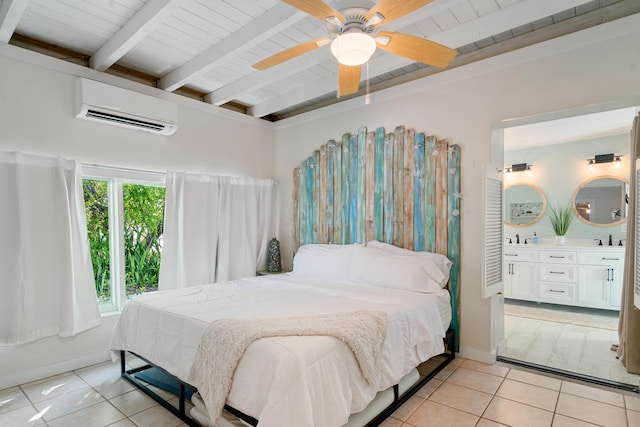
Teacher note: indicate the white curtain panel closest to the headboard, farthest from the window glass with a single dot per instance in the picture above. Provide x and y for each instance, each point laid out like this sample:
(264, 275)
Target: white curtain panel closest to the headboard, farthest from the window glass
(243, 221)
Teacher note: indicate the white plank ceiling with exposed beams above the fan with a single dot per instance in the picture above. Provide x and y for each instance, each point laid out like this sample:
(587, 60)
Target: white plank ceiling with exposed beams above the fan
(206, 48)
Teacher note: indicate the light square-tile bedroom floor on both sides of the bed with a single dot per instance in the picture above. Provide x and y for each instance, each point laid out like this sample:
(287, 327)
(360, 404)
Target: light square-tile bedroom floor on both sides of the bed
(465, 393)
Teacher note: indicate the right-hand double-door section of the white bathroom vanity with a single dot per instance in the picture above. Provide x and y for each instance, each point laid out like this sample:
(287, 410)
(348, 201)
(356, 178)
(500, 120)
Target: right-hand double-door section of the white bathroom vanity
(600, 278)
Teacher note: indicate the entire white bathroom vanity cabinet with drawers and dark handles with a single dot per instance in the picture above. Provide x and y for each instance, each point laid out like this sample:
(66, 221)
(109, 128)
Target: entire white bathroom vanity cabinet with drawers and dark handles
(578, 276)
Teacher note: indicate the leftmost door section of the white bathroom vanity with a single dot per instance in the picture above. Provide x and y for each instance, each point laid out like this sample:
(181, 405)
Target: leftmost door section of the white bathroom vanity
(520, 274)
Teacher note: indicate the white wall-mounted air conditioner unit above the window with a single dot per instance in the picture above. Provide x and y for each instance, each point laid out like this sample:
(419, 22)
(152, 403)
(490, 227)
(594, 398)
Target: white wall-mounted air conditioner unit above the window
(113, 105)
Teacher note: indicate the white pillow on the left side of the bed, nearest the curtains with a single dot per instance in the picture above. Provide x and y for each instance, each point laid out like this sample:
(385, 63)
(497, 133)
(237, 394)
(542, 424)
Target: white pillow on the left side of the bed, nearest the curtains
(323, 261)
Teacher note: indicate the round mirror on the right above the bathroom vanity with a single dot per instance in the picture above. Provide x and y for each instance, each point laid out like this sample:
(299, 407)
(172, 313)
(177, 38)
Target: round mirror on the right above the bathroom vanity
(602, 200)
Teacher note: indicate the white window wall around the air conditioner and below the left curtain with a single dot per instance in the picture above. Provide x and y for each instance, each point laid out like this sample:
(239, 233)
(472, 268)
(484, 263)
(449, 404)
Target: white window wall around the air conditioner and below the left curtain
(36, 116)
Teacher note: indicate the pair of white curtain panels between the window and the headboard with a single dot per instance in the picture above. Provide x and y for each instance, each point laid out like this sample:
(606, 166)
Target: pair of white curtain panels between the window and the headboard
(215, 229)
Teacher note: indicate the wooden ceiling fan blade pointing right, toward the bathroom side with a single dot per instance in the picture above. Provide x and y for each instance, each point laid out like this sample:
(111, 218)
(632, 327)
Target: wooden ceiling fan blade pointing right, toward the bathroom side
(418, 49)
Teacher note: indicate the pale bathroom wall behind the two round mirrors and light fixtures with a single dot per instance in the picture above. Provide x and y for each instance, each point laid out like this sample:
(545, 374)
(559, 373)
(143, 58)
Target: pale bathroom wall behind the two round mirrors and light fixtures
(558, 170)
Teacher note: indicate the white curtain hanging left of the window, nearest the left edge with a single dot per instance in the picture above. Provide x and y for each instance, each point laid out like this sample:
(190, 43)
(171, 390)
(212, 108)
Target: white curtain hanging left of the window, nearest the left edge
(46, 277)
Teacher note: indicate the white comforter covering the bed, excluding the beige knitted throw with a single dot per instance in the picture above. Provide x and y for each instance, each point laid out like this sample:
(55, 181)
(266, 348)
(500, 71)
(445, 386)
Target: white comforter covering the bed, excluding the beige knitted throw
(286, 381)
